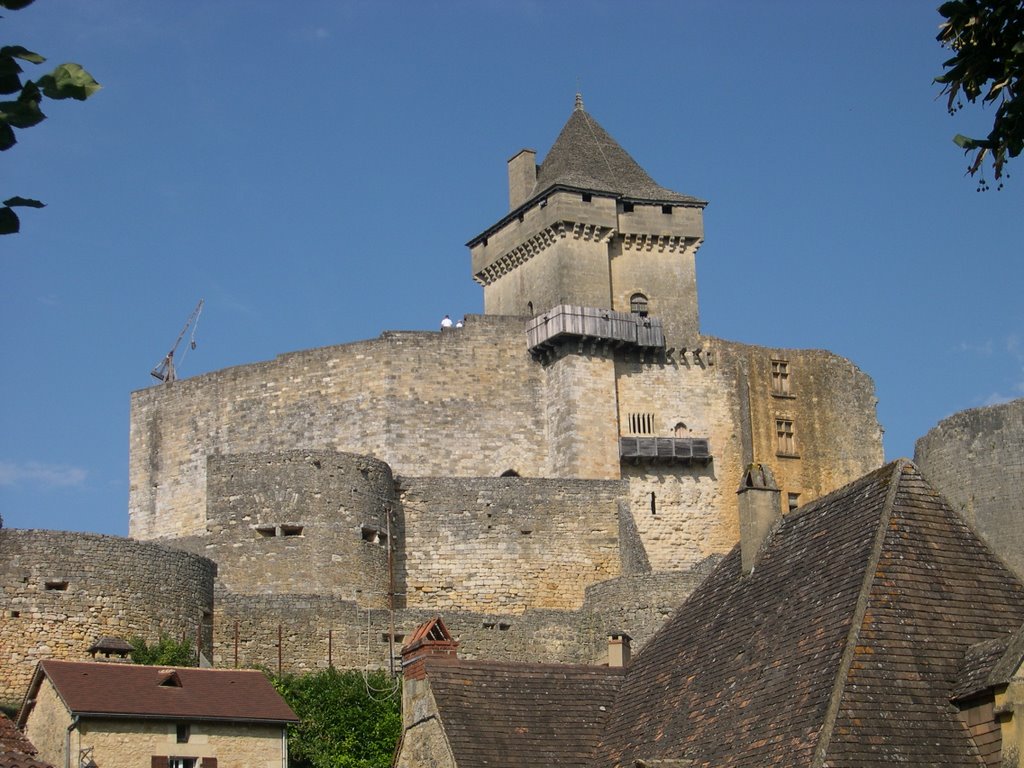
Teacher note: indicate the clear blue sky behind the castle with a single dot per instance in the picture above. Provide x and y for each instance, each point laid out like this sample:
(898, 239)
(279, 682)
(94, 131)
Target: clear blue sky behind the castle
(314, 170)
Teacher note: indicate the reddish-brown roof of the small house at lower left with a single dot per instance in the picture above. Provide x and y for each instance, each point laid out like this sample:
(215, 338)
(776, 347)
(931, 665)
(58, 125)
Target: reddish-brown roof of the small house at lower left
(182, 693)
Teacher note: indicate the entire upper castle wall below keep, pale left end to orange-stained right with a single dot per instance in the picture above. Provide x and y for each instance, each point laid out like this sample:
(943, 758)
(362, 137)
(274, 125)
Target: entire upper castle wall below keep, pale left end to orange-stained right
(473, 403)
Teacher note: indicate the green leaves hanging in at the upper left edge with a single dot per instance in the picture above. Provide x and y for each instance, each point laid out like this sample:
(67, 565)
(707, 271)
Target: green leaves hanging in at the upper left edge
(67, 81)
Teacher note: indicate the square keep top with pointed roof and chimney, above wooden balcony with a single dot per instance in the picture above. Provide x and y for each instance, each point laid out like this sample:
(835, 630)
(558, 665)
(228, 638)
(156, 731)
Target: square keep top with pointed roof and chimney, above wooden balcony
(589, 228)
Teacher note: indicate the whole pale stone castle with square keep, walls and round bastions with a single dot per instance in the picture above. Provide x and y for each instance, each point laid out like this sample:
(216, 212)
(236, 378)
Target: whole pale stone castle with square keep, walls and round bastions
(564, 464)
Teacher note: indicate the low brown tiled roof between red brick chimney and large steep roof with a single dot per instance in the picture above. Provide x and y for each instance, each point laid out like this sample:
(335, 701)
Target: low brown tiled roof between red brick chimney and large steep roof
(500, 714)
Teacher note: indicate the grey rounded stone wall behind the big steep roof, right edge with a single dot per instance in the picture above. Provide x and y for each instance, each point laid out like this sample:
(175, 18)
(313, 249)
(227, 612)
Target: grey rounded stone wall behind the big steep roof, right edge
(976, 460)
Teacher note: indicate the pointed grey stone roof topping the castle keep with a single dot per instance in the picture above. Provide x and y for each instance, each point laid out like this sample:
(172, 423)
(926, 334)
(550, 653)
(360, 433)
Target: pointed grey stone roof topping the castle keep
(585, 157)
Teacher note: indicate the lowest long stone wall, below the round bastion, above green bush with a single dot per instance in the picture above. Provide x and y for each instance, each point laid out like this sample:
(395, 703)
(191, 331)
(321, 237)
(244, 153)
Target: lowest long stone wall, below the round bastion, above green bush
(316, 630)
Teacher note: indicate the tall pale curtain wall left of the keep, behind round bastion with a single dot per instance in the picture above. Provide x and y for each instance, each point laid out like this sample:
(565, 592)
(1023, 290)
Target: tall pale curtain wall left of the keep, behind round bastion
(466, 403)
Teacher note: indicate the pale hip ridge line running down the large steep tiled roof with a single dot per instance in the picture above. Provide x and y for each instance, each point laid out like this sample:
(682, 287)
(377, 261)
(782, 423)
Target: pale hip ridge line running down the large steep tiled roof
(858, 620)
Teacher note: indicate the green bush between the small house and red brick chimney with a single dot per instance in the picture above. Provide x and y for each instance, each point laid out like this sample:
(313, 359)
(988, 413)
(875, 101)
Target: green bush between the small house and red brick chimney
(349, 720)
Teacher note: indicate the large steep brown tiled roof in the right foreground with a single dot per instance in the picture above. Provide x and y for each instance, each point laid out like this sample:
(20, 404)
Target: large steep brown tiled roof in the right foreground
(842, 647)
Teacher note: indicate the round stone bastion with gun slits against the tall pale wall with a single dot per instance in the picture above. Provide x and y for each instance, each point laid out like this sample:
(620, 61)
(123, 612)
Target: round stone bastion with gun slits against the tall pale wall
(302, 522)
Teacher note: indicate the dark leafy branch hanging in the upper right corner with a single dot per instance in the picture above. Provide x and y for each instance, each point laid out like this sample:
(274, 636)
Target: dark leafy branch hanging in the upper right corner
(988, 37)
